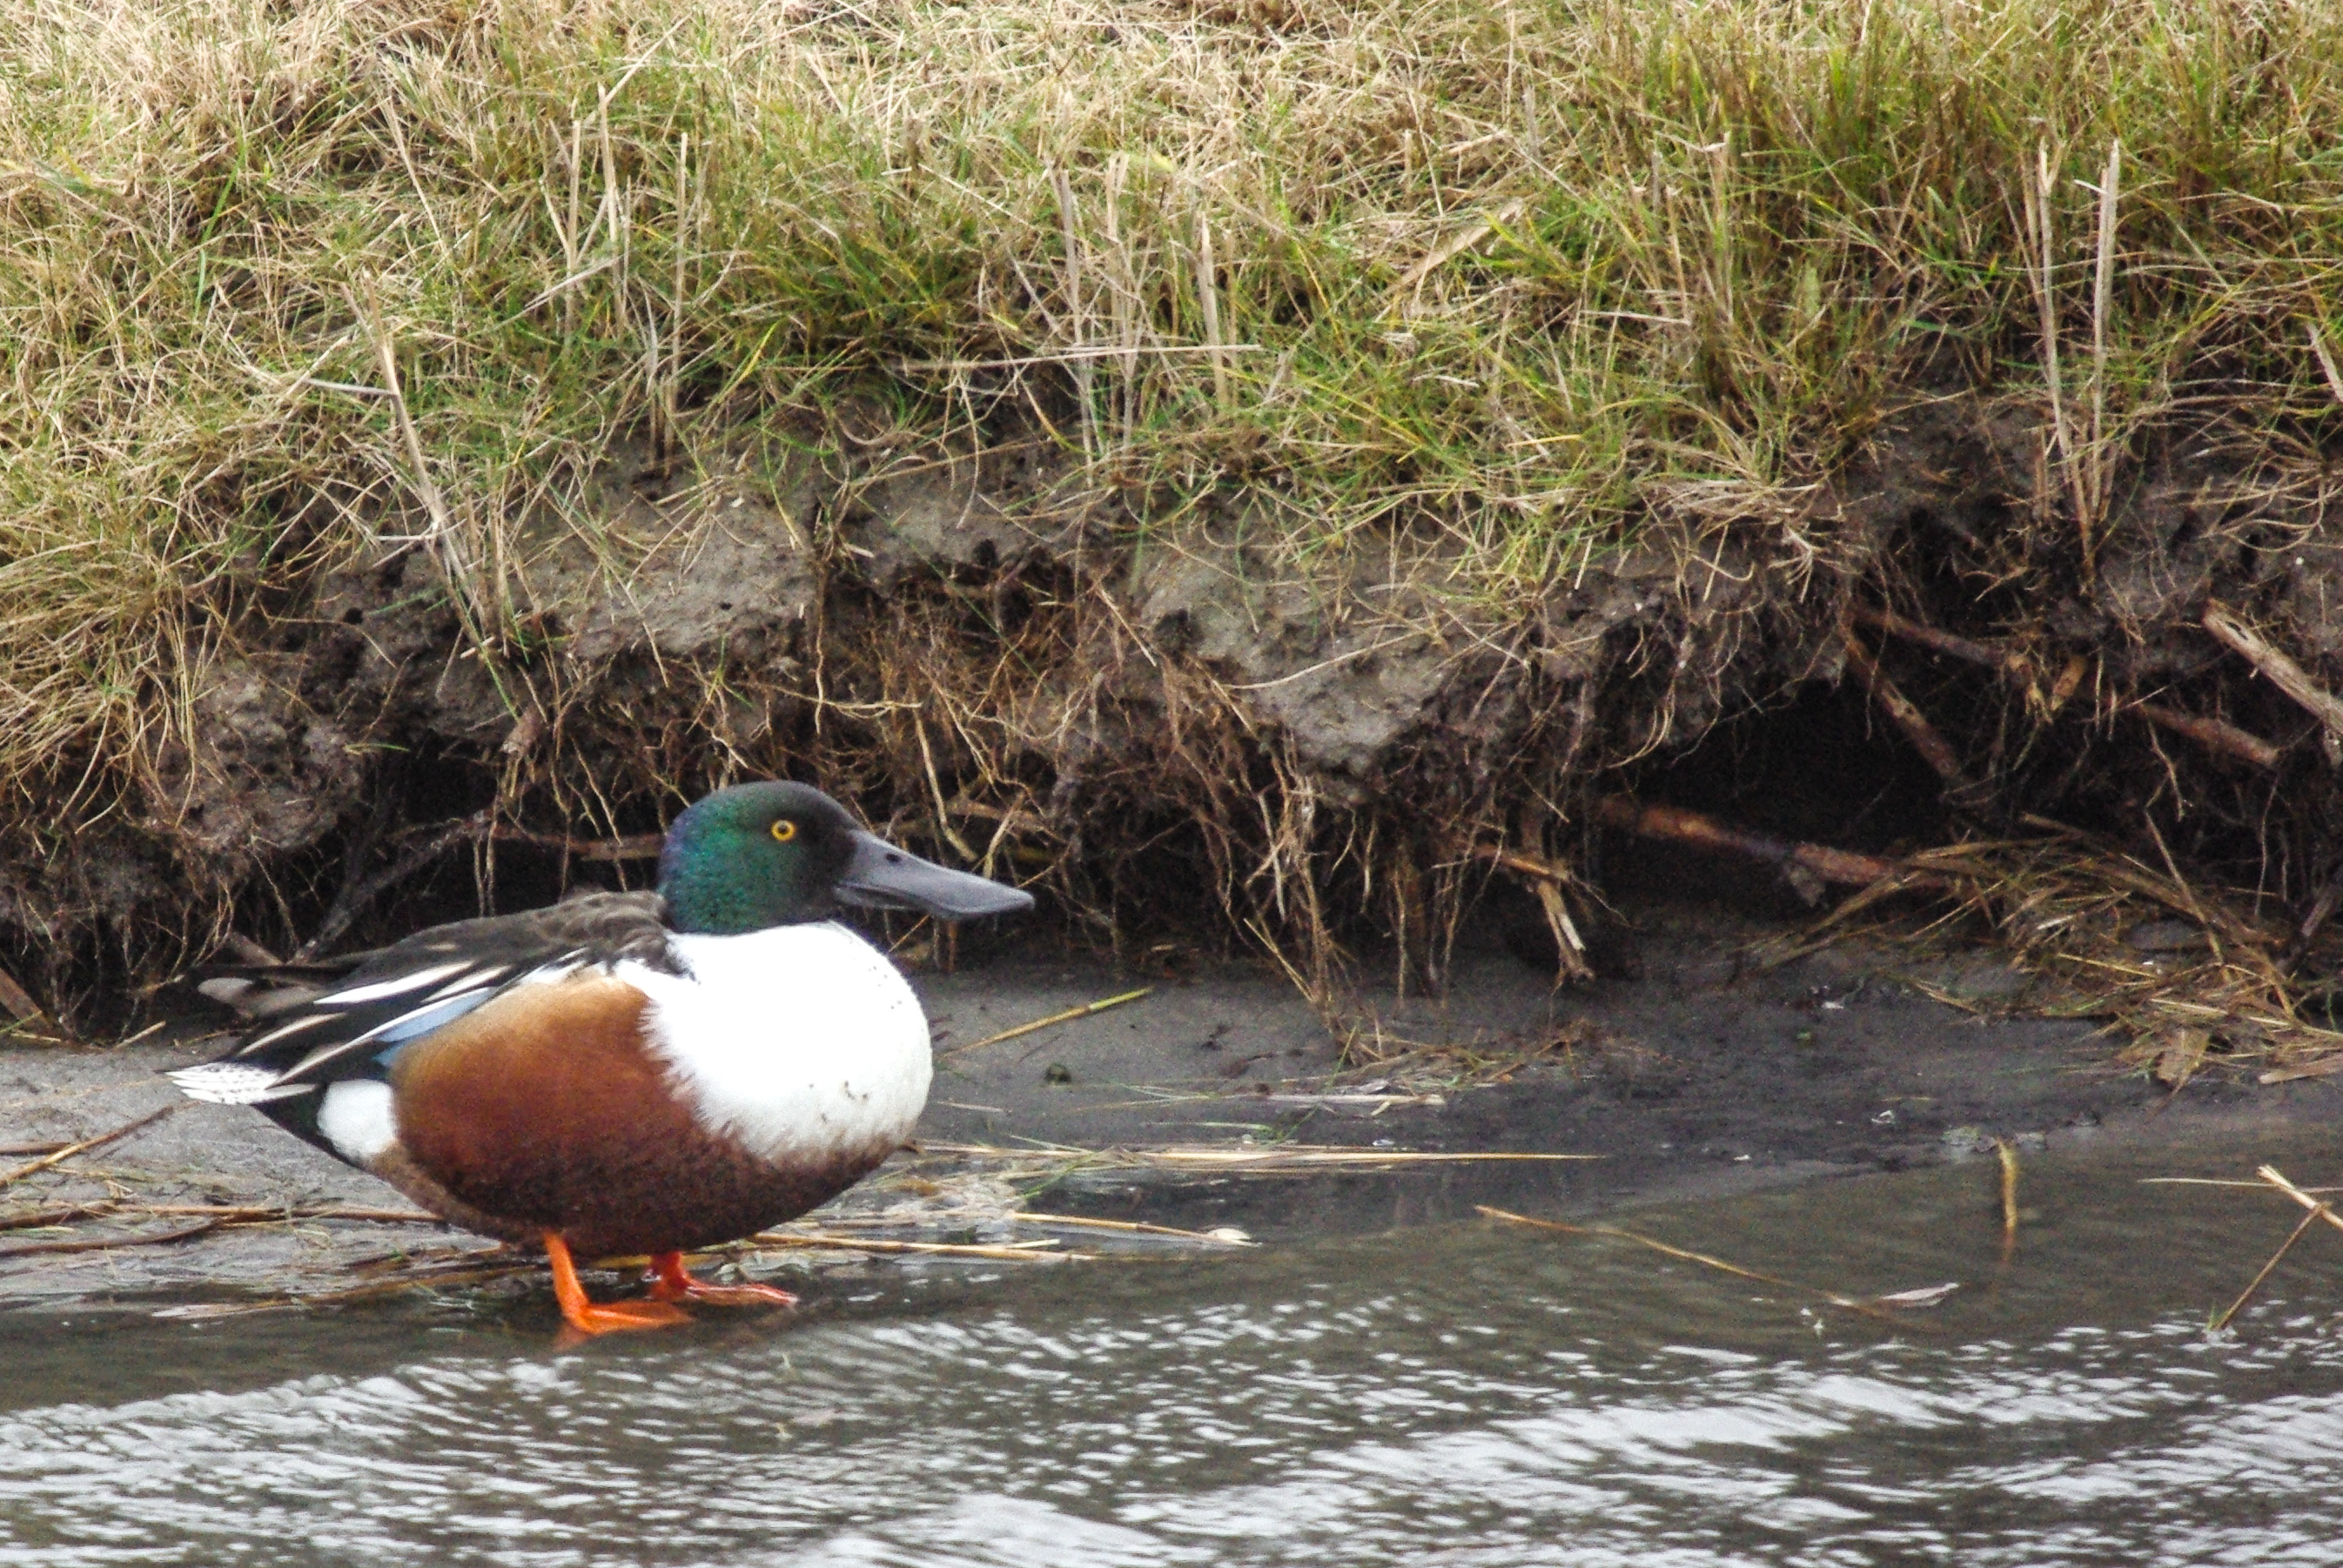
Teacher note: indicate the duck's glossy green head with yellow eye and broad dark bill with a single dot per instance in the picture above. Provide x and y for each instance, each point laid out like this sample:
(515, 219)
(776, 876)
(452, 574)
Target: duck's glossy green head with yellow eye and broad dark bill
(774, 854)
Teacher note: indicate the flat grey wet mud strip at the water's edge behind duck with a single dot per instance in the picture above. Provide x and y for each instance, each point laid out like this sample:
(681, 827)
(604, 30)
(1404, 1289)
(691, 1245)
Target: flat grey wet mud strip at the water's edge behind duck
(1695, 1079)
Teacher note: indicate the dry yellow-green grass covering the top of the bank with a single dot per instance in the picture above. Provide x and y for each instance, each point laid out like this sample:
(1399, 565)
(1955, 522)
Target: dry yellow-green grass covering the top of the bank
(1487, 289)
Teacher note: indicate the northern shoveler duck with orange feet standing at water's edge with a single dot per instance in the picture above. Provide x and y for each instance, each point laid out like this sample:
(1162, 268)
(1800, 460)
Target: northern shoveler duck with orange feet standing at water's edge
(622, 1072)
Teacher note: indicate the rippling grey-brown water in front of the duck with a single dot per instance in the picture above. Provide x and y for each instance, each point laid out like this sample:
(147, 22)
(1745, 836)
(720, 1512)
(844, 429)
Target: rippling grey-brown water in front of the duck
(1451, 1396)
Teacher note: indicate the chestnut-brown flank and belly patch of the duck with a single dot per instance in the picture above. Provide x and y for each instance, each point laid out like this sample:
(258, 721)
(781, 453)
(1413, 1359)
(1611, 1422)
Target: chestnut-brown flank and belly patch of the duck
(545, 1112)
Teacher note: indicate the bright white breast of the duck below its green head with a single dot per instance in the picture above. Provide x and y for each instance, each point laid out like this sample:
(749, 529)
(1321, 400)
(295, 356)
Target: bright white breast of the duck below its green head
(800, 1042)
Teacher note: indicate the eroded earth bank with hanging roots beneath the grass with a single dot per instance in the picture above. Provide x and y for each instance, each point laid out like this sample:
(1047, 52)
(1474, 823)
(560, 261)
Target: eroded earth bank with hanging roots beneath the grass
(1184, 737)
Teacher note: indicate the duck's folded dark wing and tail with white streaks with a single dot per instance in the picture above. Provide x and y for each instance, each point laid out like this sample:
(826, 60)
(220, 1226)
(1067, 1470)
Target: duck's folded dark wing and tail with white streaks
(317, 1028)
